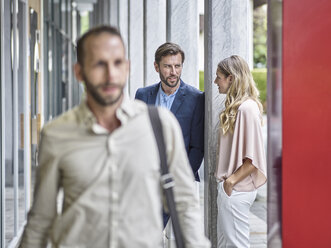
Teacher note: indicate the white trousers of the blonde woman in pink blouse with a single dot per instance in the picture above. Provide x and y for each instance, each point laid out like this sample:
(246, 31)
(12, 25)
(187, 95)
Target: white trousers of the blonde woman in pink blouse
(232, 220)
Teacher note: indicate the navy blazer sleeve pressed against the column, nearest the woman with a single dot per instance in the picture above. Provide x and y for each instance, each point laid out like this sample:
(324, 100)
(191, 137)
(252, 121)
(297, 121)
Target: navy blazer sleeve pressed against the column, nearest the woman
(196, 146)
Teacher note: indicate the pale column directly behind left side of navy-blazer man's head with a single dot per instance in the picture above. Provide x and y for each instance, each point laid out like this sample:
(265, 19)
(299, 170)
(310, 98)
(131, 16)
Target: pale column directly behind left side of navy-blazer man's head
(154, 21)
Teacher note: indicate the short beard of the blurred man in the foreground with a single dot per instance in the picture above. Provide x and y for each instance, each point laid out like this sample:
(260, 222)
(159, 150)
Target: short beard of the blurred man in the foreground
(103, 101)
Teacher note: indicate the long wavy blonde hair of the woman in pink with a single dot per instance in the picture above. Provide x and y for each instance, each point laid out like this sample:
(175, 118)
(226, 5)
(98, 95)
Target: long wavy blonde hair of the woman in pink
(242, 88)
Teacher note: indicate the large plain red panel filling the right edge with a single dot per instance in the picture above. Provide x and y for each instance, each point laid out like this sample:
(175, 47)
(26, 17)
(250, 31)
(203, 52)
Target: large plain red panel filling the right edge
(306, 196)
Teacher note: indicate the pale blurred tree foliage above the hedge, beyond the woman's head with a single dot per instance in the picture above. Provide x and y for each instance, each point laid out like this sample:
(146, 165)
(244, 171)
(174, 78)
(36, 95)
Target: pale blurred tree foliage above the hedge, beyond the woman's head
(260, 36)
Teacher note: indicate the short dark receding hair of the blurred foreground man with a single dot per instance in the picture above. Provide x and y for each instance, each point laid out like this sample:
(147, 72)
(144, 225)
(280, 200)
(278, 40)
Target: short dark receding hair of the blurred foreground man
(94, 31)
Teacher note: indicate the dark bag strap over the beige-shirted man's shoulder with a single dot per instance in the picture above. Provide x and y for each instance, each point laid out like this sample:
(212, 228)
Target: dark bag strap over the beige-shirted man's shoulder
(166, 178)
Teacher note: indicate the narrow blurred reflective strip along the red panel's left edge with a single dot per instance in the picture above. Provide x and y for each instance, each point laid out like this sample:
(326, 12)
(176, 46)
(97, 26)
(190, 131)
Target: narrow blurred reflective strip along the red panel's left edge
(274, 122)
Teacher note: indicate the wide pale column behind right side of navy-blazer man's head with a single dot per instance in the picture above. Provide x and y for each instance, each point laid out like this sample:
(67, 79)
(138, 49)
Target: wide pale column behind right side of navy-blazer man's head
(183, 29)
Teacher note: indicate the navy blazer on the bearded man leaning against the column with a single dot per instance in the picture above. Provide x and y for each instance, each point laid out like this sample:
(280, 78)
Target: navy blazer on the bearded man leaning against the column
(189, 109)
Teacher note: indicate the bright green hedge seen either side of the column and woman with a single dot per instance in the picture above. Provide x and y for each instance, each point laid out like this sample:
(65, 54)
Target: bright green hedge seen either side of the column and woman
(260, 78)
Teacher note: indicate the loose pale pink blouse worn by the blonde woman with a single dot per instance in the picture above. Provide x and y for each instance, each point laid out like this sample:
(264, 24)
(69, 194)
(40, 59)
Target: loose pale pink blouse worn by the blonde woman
(245, 142)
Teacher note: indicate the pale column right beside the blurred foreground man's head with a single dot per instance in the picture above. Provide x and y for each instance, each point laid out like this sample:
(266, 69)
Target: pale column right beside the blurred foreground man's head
(136, 45)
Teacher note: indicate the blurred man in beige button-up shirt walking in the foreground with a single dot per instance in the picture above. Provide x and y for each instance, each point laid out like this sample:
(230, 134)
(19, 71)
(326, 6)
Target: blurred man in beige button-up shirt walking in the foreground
(103, 155)
